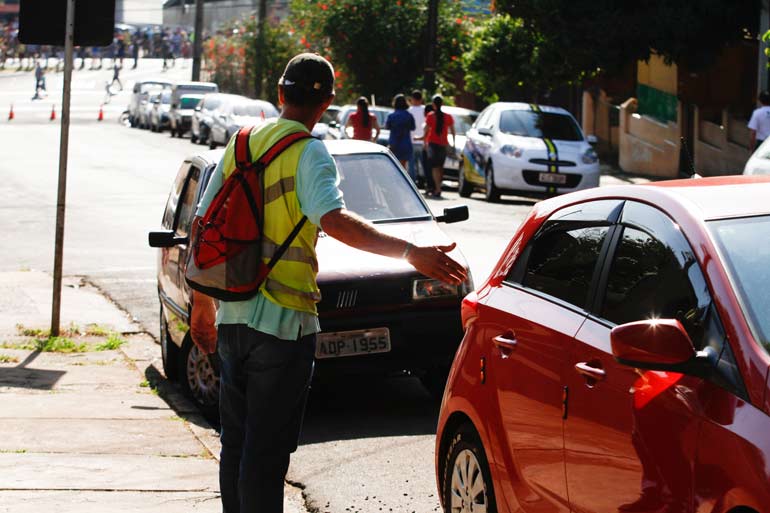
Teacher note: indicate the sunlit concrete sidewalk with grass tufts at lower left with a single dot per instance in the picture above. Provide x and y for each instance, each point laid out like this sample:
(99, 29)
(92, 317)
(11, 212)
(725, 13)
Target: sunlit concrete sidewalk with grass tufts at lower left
(89, 422)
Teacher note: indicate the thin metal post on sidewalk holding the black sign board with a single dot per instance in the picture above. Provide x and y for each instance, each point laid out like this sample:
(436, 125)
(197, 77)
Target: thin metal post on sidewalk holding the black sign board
(69, 36)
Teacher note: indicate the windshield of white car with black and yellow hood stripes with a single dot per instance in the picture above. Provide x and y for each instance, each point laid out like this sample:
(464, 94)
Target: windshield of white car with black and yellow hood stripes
(546, 125)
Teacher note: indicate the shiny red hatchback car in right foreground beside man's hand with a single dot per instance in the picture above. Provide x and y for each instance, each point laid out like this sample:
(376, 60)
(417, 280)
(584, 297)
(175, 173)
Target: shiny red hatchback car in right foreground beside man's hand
(616, 359)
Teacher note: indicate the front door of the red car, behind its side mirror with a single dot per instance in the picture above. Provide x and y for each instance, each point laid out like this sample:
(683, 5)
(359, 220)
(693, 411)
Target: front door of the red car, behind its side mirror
(631, 435)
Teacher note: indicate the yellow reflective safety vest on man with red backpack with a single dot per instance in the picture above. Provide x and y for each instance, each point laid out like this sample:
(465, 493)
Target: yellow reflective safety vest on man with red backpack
(292, 282)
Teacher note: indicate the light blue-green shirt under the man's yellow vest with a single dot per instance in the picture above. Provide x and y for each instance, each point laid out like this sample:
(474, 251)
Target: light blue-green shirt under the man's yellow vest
(318, 192)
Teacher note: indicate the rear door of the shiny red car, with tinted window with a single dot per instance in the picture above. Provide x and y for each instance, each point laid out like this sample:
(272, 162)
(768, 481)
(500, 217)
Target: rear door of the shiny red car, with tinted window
(530, 322)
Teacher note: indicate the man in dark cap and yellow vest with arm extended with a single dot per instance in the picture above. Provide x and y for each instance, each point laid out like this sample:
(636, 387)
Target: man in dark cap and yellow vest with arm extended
(266, 344)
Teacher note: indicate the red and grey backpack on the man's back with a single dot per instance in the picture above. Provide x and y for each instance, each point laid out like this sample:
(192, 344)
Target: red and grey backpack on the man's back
(225, 261)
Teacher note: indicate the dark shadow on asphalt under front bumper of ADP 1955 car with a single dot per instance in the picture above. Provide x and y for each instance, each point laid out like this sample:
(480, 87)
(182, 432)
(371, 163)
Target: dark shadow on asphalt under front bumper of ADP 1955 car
(348, 408)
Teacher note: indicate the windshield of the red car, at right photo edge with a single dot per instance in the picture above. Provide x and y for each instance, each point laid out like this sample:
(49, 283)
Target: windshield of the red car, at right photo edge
(744, 244)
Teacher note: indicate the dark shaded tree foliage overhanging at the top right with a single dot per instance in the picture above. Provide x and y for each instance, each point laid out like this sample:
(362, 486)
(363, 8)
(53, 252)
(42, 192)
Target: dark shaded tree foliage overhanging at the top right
(606, 34)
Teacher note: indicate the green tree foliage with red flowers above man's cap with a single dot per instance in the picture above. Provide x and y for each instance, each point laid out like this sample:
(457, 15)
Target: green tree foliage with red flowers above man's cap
(377, 46)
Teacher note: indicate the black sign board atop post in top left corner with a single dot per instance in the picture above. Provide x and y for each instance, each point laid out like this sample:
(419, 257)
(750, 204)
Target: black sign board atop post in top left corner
(42, 22)
